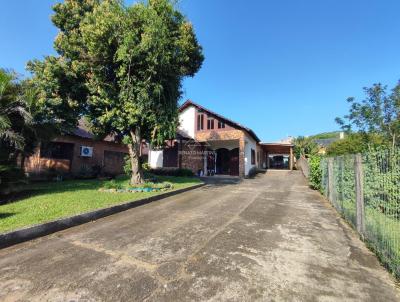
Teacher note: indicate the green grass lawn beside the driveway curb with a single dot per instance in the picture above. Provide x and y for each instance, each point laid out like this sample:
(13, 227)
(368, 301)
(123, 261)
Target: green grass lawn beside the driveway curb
(52, 200)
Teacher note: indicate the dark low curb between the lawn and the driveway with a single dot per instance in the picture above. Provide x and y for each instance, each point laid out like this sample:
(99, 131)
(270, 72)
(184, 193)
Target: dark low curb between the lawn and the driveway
(29, 233)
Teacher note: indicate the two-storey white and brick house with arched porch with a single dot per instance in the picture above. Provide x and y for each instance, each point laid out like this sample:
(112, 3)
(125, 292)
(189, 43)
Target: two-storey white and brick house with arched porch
(208, 144)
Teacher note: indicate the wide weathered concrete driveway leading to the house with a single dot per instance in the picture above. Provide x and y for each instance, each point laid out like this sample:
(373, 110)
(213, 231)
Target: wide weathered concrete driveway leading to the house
(266, 239)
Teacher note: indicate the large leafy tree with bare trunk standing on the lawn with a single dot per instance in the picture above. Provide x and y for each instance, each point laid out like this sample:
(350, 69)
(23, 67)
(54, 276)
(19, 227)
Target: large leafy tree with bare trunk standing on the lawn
(123, 67)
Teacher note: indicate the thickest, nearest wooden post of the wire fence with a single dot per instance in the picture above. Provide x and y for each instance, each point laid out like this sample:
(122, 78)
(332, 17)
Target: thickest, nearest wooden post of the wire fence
(358, 178)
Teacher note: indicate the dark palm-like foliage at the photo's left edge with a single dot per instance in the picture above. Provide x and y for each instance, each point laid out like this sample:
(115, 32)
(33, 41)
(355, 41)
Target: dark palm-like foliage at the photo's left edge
(21, 125)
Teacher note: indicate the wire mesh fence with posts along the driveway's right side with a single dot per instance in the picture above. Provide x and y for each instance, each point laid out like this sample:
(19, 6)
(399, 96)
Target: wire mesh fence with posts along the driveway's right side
(365, 190)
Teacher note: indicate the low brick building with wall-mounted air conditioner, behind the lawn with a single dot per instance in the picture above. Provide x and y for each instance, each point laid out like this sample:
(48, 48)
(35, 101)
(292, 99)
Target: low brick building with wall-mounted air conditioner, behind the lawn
(77, 154)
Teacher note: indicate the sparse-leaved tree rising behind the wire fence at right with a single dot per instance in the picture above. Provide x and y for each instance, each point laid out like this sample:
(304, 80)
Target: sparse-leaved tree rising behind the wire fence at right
(377, 114)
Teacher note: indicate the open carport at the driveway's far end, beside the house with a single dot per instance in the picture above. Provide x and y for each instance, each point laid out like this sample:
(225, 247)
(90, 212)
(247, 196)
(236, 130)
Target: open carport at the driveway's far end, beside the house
(278, 155)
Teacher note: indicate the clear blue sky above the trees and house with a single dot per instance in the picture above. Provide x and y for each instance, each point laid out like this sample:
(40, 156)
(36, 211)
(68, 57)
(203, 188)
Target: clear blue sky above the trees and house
(279, 67)
